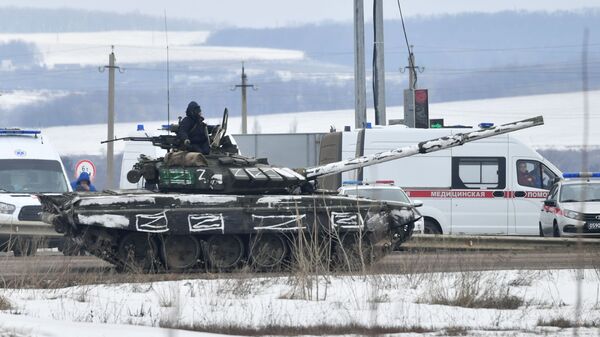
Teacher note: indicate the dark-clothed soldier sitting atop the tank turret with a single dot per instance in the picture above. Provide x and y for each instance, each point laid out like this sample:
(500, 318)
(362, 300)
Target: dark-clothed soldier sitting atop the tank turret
(193, 132)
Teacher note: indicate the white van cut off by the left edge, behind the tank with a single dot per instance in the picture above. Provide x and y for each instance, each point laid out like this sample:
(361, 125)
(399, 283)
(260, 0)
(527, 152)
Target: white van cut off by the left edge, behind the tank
(28, 165)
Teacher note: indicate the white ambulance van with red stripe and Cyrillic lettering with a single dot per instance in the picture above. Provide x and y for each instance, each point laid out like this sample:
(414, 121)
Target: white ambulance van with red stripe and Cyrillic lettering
(469, 189)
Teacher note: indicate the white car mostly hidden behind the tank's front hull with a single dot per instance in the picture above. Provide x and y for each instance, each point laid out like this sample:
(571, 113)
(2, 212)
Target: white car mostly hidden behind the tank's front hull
(383, 190)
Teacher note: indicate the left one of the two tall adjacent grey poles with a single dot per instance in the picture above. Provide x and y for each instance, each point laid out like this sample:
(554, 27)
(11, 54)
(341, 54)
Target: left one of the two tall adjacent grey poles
(360, 90)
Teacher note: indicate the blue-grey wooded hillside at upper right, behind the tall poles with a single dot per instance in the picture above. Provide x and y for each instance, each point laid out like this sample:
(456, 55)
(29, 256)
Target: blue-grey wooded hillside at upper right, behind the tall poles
(469, 40)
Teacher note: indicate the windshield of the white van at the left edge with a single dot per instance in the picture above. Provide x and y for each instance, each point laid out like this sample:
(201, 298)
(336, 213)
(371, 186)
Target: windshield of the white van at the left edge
(31, 176)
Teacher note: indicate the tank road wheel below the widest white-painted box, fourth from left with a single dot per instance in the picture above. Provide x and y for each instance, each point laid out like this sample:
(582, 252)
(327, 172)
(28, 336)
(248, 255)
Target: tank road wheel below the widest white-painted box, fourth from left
(268, 251)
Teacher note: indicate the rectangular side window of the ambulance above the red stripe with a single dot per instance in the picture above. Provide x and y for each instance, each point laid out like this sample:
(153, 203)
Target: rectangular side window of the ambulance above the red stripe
(479, 172)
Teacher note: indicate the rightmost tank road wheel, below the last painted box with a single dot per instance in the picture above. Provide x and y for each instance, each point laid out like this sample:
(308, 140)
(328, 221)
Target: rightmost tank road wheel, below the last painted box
(353, 253)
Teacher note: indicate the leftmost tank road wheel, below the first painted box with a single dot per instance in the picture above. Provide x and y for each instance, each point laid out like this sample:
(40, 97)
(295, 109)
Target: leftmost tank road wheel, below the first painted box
(137, 252)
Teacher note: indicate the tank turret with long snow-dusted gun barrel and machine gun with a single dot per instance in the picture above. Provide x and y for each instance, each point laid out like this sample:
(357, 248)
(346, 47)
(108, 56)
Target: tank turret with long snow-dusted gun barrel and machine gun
(224, 171)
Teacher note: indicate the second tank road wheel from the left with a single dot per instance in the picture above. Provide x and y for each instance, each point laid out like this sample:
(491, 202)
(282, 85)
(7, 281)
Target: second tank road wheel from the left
(180, 252)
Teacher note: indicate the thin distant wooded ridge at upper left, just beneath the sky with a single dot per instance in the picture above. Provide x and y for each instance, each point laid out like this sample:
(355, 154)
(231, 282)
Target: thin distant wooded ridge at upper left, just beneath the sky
(30, 20)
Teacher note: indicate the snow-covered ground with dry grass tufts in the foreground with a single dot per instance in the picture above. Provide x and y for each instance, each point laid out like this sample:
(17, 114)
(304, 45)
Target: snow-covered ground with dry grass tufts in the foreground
(382, 300)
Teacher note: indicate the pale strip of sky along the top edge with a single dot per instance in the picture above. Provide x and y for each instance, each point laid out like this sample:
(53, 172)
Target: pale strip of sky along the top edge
(271, 13)
